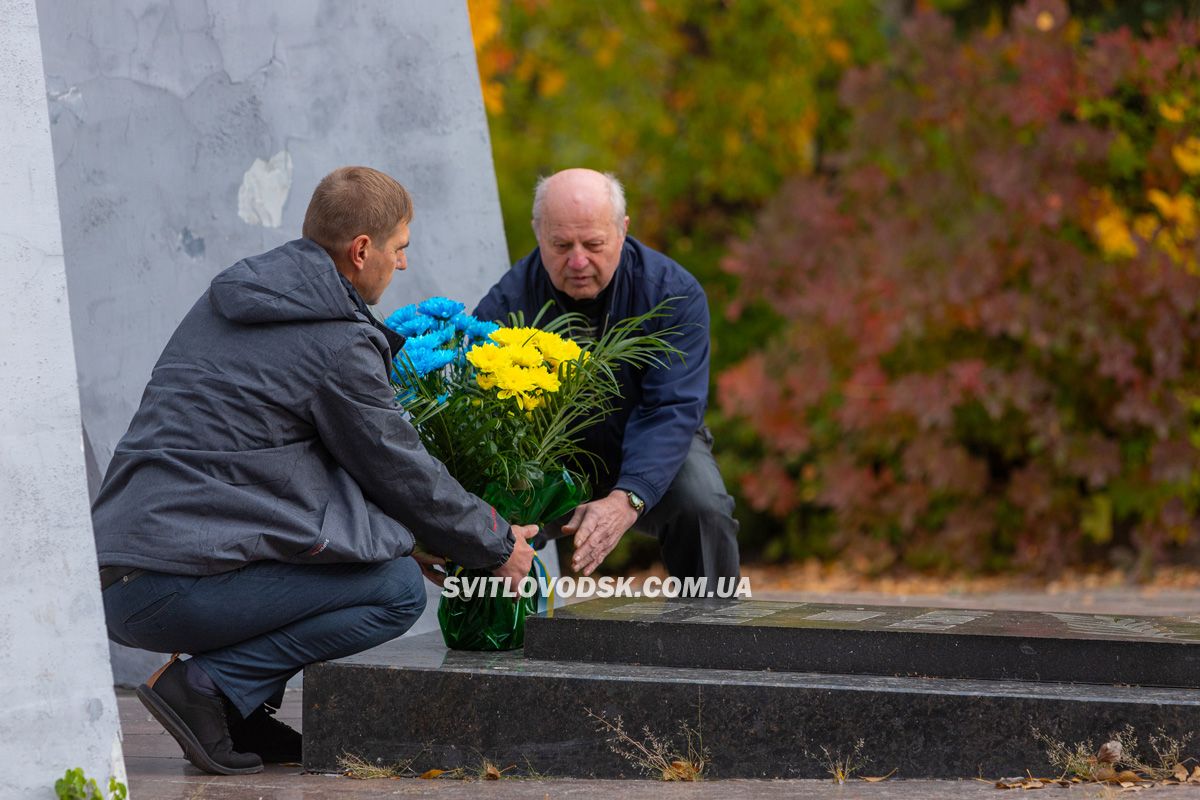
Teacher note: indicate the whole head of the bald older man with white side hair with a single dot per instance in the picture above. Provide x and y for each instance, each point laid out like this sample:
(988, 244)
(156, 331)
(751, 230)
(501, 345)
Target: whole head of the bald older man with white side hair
(579, 216)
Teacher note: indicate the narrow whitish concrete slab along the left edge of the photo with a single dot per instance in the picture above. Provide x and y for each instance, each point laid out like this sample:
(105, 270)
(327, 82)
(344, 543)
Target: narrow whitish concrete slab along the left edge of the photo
(57, 706)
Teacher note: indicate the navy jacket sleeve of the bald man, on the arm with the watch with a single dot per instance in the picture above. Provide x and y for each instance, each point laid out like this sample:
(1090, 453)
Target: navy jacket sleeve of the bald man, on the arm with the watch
(661, 429)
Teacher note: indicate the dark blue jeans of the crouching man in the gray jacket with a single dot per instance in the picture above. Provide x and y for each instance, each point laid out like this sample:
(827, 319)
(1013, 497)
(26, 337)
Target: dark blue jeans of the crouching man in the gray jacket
(255, 628)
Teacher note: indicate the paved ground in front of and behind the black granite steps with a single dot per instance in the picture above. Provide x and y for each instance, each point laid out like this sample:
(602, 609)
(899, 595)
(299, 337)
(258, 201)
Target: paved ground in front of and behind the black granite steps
(158, 771)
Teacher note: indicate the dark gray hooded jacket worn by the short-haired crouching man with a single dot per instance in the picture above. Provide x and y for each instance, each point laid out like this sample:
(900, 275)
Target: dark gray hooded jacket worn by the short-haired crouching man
(269, 432)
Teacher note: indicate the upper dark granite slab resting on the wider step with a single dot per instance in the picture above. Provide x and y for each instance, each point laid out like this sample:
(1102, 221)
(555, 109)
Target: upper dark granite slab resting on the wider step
(874, 641)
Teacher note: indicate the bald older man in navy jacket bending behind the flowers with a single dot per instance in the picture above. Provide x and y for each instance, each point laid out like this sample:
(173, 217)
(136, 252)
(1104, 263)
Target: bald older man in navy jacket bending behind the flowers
(659, 476)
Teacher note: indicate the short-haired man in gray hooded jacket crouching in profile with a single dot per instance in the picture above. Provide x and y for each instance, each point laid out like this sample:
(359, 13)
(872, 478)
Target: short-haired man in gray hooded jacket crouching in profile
(261, 510)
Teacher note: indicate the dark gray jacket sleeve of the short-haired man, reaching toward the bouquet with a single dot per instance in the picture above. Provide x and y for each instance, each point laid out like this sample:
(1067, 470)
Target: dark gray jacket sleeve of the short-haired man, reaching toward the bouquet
(359, 423)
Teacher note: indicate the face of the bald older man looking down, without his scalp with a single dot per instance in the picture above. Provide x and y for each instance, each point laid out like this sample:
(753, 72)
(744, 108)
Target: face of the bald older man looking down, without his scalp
(581, 246)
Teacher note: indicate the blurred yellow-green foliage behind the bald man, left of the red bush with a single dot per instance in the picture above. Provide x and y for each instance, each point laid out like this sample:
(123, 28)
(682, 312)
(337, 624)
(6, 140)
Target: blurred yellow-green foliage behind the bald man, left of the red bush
(701, 109)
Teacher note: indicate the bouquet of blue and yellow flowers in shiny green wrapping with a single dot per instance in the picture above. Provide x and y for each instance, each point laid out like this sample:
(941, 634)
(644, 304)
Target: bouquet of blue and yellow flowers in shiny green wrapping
(503, 408)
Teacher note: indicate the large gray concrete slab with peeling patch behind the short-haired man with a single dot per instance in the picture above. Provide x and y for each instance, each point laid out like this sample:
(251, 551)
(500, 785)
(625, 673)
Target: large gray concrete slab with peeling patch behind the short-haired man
(190, 135)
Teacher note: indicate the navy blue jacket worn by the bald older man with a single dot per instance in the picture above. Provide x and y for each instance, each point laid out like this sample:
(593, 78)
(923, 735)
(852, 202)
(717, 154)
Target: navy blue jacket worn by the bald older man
(645, 442)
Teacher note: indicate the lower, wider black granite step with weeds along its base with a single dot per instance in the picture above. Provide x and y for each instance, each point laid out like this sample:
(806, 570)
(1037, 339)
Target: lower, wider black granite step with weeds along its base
(412, 700)
